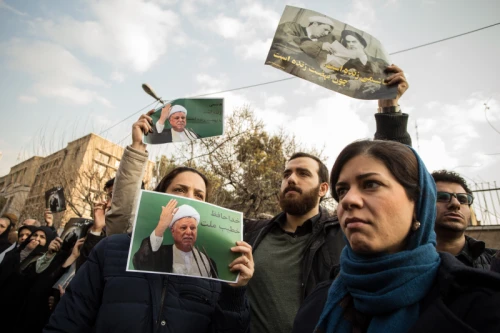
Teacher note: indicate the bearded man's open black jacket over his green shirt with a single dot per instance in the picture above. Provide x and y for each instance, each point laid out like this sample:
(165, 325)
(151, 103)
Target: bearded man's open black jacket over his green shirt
(321, 259)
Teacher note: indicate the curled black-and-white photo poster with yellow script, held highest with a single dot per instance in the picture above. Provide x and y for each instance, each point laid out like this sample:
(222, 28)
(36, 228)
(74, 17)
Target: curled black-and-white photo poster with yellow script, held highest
(330, 53)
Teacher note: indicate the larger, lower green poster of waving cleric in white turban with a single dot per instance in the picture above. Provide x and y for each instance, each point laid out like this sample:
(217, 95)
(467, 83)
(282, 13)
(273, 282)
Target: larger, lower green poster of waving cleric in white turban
(181, 236)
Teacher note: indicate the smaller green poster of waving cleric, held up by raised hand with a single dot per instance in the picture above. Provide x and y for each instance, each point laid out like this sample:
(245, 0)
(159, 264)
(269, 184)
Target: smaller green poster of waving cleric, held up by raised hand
(187, 119)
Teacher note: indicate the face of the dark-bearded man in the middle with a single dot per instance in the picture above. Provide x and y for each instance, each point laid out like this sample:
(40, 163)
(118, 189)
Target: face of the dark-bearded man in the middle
(300, 188)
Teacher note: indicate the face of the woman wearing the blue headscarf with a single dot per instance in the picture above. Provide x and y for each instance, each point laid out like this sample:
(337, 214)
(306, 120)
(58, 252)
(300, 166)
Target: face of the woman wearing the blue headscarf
(374, 211)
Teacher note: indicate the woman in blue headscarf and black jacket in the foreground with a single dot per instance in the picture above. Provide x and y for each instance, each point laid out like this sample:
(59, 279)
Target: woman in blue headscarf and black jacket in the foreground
(391, 277)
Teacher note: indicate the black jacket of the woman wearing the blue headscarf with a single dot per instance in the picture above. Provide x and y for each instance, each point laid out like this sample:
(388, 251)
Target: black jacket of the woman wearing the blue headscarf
(462, 299)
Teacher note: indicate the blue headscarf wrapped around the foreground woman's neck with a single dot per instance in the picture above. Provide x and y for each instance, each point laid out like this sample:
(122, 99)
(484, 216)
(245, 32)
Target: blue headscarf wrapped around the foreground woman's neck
(388, 287)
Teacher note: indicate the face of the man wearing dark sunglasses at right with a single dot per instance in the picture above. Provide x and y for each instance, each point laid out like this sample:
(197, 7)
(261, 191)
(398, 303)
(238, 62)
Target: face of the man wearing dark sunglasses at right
(451, 216)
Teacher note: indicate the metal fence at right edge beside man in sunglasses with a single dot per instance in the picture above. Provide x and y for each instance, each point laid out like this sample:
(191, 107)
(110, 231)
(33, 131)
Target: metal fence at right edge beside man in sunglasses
(486, 204)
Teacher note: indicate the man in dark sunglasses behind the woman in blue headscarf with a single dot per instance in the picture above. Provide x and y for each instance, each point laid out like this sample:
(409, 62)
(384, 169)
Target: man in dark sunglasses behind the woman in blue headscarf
(454, 199)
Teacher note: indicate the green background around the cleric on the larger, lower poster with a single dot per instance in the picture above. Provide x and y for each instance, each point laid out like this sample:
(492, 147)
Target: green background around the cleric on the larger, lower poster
(218, 230)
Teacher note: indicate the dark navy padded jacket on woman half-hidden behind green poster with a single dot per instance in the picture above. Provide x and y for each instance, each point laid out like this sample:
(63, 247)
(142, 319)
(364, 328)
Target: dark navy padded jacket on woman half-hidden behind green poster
(104, 297)
